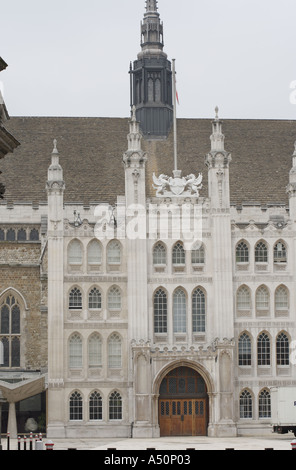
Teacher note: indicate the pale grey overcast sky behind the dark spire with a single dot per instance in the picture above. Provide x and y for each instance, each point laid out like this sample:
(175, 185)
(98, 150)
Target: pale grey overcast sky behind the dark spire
(71, 57)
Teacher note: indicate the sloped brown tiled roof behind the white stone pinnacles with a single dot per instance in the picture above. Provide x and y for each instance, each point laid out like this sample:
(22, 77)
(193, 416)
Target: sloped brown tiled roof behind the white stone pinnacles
(91, 152)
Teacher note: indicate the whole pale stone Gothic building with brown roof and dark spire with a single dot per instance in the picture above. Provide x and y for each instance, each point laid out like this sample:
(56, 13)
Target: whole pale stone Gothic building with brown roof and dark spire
(150, 305)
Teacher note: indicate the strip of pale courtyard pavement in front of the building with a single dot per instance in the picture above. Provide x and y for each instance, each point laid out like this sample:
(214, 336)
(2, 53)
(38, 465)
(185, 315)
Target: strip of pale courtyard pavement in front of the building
(276, 442)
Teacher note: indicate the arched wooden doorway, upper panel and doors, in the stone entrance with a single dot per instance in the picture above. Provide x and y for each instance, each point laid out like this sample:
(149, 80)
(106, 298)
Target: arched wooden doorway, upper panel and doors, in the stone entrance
(183, 403)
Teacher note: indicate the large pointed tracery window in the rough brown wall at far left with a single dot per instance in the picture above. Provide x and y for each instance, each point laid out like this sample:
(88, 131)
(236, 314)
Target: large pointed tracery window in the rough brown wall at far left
(10, 330)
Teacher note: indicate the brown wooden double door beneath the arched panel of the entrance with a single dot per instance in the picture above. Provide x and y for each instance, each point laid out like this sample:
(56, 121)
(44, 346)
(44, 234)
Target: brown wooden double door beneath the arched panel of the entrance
(184, 417)
